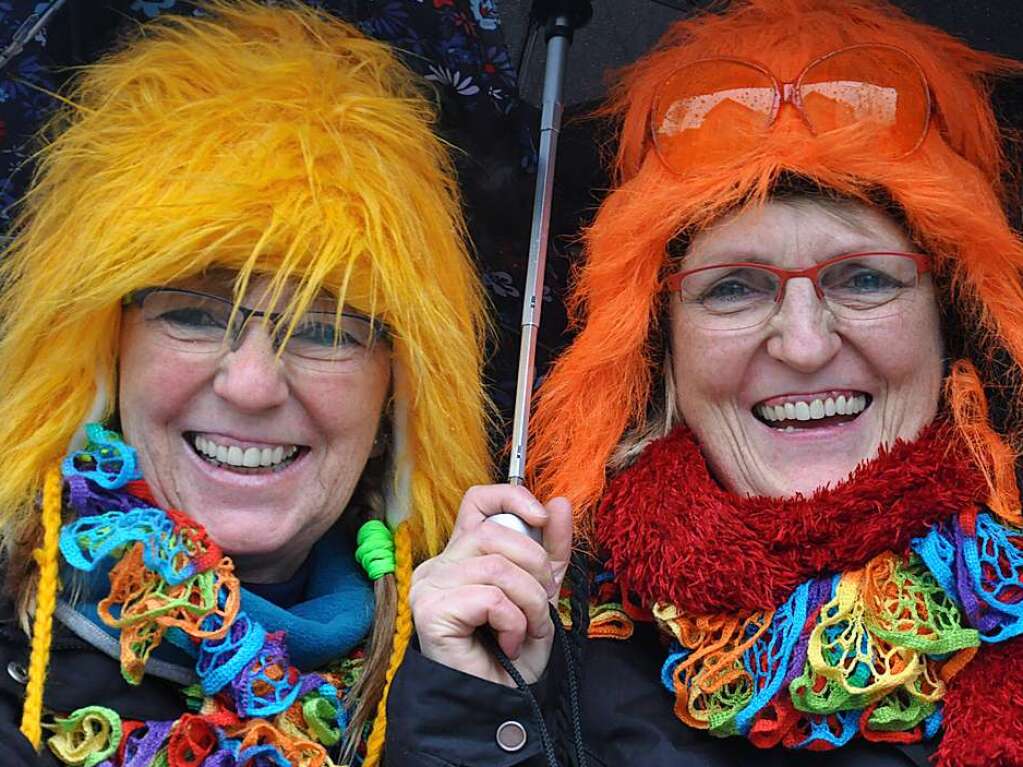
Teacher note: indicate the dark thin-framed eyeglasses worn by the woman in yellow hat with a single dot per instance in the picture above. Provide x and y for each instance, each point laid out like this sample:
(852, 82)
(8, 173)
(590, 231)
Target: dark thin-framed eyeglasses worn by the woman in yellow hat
(195, 323)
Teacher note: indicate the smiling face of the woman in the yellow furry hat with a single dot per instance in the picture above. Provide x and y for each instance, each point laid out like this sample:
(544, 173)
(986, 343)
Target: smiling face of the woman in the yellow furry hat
(200, 422)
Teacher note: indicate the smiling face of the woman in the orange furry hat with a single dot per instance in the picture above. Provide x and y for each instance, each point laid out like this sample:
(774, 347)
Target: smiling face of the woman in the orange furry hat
(798, 402)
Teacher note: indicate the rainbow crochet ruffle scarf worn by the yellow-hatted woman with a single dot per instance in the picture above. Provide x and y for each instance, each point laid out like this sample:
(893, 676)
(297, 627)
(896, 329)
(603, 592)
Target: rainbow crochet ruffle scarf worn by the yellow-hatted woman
(251, 707)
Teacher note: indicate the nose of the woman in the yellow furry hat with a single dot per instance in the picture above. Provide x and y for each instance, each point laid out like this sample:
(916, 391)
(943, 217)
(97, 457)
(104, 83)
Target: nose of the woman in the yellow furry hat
(250, 377)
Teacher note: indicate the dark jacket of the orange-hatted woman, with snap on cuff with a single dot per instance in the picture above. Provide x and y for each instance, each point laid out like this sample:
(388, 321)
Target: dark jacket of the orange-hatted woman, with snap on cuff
(441, 718)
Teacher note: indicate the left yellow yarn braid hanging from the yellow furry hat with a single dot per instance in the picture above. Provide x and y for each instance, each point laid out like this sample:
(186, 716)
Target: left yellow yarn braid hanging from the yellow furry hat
(47, 601)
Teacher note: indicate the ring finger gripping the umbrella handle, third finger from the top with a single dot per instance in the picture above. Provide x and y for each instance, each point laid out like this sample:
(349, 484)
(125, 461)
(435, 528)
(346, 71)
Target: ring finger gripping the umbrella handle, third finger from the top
(519, 586)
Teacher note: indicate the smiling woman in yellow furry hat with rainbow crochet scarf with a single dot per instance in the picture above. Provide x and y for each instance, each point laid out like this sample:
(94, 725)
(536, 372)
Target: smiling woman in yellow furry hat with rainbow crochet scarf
(240, 386)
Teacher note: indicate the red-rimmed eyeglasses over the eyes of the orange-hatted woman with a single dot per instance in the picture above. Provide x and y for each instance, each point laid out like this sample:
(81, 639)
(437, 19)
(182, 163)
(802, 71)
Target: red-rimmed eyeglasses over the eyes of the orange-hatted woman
(858, 287)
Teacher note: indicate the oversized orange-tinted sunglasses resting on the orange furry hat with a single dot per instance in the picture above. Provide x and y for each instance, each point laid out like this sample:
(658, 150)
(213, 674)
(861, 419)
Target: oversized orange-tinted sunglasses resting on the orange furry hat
(714, 110)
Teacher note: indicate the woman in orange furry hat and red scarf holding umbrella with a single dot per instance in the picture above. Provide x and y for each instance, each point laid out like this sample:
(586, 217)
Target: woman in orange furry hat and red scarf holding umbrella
(790, 421)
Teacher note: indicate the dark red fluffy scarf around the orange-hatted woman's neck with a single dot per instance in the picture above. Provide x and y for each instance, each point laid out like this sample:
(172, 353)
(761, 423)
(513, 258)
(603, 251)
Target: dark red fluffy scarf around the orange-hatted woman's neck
(674, 535)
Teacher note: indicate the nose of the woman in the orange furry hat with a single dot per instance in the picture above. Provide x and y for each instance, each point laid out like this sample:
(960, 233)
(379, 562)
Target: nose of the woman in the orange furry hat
(803, 333)
